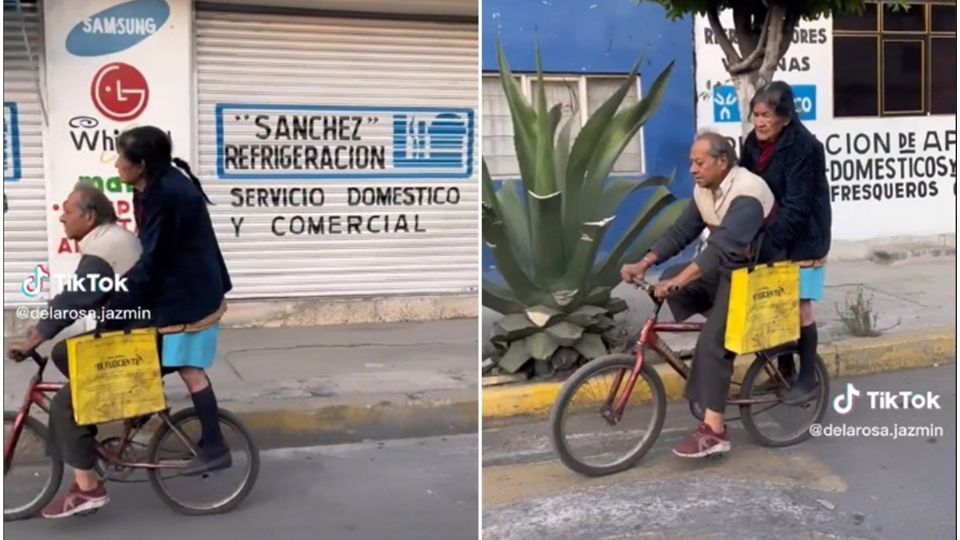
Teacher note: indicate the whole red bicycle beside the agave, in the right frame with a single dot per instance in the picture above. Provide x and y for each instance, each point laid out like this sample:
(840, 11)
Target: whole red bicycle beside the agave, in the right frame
(603, 389)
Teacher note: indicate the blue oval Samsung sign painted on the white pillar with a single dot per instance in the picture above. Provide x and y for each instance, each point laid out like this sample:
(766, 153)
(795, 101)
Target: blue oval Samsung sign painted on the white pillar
(117, 28)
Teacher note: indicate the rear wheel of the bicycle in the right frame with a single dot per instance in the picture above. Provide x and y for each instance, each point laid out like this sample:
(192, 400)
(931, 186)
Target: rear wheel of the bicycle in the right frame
(770, 422)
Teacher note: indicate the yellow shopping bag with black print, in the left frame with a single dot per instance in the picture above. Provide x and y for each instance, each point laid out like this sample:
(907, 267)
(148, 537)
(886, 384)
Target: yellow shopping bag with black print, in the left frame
(115, 376)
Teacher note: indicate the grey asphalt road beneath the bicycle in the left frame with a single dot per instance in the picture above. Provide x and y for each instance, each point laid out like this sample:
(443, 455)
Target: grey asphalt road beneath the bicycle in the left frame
(412, 489)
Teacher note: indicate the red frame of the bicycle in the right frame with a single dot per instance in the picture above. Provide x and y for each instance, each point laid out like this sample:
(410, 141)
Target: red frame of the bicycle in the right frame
(649, 338)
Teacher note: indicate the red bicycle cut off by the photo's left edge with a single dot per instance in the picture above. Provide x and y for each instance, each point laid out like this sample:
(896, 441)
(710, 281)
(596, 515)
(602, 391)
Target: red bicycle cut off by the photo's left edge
(31, 477)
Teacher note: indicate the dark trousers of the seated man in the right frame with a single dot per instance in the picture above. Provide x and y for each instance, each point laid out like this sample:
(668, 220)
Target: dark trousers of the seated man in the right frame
(712, 366)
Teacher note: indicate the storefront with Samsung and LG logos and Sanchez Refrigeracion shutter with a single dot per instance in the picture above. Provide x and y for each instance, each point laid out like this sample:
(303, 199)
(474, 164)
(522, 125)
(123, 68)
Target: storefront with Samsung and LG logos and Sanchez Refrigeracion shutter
(338, 147)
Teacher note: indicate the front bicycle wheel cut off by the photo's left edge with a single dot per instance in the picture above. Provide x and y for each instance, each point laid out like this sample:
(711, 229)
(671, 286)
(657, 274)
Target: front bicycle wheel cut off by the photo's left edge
(32, 478)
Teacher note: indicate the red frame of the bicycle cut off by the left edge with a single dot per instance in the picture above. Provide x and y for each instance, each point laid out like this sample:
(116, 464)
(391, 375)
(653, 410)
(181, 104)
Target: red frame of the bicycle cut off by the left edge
(37, 394)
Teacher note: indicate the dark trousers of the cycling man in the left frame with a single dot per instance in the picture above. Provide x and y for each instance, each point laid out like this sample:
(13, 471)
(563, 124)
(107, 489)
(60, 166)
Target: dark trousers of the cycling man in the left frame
(69, 442)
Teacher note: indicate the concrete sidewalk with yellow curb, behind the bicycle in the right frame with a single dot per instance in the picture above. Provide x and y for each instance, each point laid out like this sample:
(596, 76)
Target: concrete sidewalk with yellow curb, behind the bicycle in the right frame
(914, 298)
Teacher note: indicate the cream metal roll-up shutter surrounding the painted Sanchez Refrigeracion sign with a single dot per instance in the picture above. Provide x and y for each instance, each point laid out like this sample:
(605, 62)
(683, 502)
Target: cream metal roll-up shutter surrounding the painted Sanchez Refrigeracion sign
(355, 62)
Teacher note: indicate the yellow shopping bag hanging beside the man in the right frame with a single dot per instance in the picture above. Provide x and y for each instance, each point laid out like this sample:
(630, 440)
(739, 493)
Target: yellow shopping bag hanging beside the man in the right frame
(764, 309)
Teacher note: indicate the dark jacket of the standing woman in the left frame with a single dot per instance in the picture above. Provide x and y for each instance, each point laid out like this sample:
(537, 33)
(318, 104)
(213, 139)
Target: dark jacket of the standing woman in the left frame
(181, 276)
